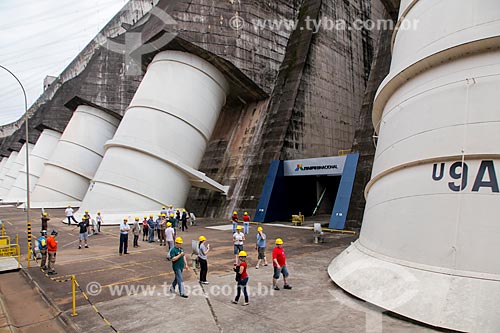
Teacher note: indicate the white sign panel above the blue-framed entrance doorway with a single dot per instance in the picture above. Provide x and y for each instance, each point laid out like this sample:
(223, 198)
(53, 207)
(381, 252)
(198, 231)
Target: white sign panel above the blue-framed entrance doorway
(333, 166)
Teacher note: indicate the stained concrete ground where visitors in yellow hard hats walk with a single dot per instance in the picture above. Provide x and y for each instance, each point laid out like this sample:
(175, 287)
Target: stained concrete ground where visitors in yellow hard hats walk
(131, 291)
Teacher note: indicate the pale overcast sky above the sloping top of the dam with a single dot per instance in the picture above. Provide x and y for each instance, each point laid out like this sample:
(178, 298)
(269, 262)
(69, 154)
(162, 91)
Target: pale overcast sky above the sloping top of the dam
(40, 38)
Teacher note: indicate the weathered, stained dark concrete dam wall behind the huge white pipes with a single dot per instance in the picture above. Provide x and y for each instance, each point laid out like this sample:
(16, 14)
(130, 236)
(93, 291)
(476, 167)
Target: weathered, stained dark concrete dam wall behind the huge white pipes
(294, 93)
